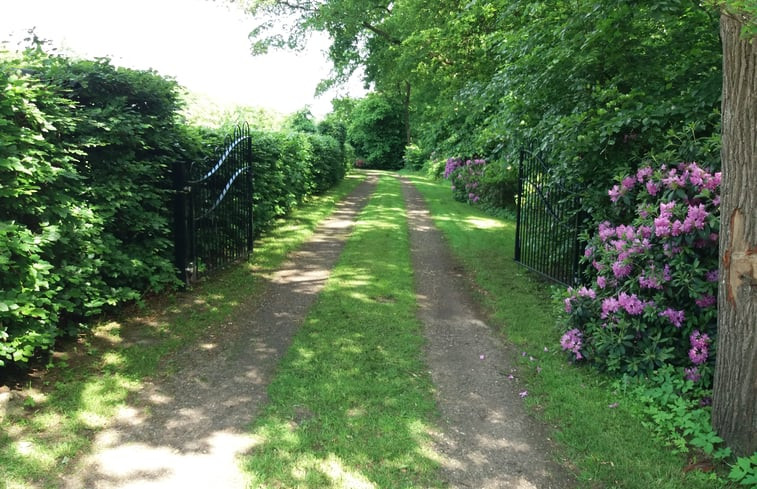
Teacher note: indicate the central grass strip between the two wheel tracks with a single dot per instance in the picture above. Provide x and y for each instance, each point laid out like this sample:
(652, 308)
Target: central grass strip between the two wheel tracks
(351, 402)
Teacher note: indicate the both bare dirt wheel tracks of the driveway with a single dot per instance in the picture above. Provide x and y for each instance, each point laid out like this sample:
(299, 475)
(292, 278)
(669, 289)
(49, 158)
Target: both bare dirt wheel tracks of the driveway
(188, 431)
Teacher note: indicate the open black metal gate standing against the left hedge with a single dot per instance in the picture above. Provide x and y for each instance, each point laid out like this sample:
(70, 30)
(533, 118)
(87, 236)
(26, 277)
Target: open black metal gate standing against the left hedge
(214, 203)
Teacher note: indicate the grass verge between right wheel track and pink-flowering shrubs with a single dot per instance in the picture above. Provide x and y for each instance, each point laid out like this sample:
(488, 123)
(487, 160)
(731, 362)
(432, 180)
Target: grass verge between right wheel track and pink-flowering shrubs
(598, 429)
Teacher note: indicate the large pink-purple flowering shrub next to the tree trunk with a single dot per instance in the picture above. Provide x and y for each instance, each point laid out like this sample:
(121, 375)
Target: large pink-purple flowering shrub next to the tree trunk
(652, 298)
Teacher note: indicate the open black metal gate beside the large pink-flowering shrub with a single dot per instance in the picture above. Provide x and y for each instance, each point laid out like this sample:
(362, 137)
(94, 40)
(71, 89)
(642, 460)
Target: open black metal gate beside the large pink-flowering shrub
(546, 235)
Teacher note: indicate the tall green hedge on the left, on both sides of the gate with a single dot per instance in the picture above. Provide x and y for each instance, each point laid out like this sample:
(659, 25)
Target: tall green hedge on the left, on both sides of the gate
(86, 190)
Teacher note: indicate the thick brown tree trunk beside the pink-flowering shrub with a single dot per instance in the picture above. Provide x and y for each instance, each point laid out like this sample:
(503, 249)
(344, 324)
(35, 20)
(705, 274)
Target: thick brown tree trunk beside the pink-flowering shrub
(734, 413)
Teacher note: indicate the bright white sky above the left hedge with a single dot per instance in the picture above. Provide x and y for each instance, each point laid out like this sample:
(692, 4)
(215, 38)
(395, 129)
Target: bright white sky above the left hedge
(201, 43)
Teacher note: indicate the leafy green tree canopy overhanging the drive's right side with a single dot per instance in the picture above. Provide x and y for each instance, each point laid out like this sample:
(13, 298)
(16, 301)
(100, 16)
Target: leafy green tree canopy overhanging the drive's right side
(603, 84)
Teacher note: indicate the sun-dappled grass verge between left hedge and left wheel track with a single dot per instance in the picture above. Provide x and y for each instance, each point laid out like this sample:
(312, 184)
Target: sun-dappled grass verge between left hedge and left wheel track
(52, 420)
